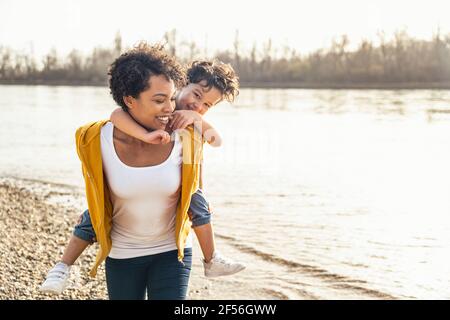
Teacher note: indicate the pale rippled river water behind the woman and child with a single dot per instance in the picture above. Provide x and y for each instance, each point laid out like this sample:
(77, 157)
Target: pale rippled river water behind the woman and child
(344, 193)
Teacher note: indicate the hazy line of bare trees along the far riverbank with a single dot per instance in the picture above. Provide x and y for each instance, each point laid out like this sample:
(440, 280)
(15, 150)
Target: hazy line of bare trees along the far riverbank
(401, 59)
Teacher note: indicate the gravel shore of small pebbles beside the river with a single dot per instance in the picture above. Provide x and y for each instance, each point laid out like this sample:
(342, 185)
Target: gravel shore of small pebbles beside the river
(36, 221)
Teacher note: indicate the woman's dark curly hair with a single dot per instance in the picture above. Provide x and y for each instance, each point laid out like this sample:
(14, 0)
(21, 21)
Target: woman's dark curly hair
(130, 72)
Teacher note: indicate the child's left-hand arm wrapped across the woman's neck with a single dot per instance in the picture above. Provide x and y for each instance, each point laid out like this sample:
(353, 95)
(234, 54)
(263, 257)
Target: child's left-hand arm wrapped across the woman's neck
(125, 123)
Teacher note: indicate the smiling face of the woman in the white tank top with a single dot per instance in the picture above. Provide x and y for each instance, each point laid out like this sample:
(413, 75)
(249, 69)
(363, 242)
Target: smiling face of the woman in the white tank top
(152, 108)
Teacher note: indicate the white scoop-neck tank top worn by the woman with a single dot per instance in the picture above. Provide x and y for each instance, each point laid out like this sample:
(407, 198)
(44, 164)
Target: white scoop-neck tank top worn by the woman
(144, 201)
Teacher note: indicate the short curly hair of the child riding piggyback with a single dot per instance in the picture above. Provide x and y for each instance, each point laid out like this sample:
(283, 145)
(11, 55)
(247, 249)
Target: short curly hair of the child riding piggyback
(216, 74)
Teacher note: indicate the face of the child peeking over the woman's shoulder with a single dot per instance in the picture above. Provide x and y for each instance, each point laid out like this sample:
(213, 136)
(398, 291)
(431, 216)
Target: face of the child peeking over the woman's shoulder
(197, 97)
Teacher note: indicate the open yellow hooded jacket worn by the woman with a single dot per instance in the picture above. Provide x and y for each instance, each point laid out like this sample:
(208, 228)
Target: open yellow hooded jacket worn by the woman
(98, 196)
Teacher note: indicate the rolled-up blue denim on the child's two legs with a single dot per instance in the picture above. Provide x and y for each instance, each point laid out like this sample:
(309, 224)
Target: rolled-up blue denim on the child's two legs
(199, 208)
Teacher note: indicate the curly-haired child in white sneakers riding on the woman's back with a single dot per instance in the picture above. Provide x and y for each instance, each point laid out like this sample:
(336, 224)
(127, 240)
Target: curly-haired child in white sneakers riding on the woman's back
(208, 84)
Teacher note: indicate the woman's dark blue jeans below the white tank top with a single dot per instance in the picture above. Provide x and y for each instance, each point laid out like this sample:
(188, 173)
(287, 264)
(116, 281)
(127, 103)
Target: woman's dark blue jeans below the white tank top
(160, 275)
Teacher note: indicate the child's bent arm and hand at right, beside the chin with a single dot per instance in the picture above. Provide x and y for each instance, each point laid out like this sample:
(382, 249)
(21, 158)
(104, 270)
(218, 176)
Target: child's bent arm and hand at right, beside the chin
(182, 118)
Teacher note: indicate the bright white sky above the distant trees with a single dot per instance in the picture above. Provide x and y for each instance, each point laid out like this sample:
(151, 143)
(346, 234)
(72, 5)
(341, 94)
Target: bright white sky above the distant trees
(305, 25)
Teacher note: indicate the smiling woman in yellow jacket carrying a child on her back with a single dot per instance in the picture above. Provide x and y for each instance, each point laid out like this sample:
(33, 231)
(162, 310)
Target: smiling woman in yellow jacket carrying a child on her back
(138, 193)
